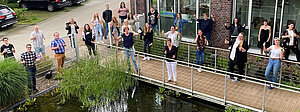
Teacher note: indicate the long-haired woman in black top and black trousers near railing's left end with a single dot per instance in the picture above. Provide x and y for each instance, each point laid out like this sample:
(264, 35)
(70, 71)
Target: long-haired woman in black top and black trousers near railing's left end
(88, 38)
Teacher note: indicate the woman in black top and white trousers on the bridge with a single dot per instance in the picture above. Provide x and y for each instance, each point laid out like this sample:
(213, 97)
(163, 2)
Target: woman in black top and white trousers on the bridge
(170, 52)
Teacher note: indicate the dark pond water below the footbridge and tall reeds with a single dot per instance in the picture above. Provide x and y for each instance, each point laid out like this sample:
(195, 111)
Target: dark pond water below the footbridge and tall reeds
(142, 98)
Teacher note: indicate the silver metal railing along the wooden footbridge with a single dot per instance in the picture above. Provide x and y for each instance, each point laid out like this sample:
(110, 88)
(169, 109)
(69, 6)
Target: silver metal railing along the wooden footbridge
(215, 70)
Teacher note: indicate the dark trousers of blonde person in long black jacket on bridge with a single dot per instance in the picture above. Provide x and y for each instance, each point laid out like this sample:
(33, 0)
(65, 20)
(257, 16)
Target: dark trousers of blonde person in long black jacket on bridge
(240, 66)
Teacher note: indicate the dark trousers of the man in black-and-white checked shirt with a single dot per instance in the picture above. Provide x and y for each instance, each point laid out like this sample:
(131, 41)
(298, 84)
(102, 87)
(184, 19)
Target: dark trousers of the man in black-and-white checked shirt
(32, 78)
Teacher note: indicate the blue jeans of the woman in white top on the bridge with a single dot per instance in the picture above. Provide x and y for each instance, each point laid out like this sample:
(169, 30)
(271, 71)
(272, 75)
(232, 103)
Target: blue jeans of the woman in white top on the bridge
(275, 65)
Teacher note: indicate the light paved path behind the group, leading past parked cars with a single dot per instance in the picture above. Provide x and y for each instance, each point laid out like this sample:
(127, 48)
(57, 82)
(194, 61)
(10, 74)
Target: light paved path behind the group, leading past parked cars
(82, 15)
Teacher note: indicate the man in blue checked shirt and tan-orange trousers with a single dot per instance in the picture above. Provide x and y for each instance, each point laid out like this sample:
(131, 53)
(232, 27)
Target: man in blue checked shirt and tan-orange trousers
(58, 46)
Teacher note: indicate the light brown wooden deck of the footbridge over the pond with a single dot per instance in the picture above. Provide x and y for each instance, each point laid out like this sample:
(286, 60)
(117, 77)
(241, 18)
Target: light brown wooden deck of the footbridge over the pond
(245, 92)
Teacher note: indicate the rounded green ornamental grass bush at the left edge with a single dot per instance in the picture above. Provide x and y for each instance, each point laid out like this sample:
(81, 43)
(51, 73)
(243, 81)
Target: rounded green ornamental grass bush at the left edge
(13, 81)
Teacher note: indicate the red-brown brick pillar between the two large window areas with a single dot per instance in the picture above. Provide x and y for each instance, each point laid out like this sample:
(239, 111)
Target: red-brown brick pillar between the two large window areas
(222, 10)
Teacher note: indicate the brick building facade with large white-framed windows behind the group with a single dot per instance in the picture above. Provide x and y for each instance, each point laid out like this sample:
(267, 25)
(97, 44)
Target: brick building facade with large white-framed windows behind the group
(250, 12)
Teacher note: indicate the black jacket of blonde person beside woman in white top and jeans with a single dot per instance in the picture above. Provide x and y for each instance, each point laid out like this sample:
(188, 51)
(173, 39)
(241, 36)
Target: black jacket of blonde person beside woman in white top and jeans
(240, 57)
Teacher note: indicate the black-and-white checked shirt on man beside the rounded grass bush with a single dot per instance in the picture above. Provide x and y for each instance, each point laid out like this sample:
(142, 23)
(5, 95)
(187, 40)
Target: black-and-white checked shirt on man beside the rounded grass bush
(29, 58)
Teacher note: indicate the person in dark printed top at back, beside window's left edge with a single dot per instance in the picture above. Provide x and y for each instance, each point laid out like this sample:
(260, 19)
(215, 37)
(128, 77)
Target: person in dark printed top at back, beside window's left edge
(153, 17)
